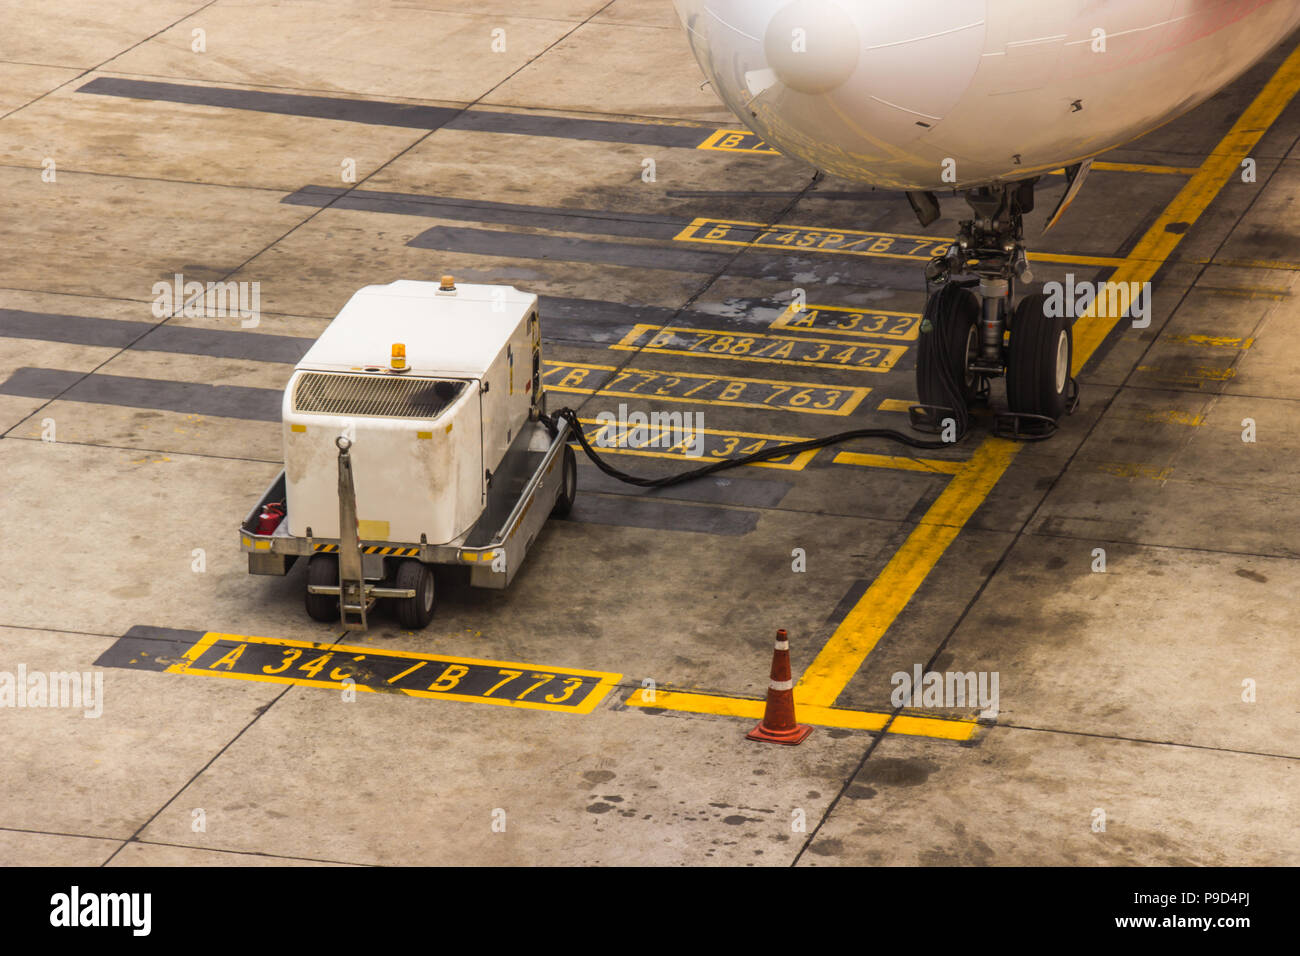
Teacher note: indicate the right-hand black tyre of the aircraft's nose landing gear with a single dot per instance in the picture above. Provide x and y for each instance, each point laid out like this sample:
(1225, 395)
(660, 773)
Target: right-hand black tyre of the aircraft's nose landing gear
(1038, 367)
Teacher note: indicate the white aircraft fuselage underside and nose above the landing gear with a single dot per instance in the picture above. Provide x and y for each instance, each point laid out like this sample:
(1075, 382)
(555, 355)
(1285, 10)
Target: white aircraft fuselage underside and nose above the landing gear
(955, 94)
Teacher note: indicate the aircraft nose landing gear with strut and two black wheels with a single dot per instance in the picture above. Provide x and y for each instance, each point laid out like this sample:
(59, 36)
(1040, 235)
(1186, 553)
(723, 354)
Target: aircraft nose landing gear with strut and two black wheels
(964, 339)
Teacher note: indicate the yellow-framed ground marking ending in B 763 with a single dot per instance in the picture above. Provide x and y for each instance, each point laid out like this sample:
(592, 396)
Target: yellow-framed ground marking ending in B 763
(704, 390)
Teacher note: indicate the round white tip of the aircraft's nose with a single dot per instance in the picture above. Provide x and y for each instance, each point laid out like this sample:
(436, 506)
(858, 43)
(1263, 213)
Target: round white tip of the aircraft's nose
(812, 46)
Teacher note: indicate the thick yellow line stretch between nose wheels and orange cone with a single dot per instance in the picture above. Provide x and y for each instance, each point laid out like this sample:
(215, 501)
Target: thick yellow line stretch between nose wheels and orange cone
(912, 564)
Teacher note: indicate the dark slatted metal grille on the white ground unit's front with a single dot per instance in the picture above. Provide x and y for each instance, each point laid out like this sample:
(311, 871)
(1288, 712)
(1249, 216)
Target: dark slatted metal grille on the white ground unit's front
(375, 396)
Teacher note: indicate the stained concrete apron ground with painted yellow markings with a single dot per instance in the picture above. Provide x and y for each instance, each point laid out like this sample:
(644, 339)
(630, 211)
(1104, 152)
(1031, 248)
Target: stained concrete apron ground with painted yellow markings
(1130, 583)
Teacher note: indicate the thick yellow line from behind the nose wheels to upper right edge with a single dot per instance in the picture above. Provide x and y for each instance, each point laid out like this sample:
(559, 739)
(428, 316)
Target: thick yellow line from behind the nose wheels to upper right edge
(1198, 193)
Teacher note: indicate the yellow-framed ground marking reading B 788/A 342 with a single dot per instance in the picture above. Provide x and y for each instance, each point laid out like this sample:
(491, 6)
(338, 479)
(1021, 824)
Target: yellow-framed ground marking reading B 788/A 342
(757, 347)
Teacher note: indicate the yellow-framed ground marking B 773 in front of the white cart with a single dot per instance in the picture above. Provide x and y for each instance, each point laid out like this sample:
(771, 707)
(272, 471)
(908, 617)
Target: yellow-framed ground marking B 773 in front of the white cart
(340, 667)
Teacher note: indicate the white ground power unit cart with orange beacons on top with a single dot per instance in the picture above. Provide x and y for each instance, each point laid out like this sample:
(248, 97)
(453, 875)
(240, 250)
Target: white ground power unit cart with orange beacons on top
(414, 438)
